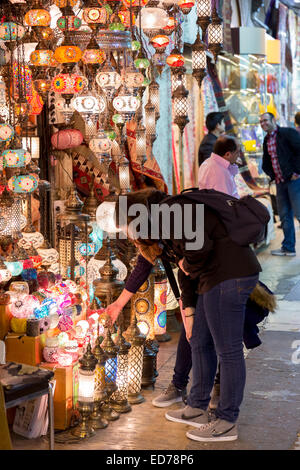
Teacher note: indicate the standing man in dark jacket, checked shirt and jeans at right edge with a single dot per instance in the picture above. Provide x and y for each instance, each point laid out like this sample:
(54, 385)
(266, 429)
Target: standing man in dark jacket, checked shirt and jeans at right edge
(281, 162)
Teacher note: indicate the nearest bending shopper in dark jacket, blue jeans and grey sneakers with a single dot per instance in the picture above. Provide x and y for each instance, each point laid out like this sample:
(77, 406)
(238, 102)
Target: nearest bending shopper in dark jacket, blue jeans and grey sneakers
(214, 292)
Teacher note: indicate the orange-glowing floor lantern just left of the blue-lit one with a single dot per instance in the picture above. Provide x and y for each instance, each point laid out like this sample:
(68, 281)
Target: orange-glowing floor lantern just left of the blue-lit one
(97, 421)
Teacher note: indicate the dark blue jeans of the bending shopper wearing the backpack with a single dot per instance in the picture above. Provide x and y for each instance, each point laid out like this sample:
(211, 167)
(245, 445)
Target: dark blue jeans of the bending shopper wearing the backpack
(218, 335)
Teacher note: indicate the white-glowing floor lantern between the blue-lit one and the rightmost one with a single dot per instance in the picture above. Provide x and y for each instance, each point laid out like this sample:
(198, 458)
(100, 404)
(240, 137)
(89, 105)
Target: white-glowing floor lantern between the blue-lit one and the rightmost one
(119, 399)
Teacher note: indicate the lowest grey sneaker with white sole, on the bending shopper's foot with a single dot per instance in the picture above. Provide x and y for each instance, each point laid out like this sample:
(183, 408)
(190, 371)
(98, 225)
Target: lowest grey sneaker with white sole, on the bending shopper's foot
(215, 431)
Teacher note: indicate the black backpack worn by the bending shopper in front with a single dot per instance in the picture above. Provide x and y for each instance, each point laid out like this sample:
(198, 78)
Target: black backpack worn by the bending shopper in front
(245, 219)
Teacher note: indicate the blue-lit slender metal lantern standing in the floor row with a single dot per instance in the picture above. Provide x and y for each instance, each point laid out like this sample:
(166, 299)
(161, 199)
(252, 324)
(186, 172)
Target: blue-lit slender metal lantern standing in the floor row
(111, 369)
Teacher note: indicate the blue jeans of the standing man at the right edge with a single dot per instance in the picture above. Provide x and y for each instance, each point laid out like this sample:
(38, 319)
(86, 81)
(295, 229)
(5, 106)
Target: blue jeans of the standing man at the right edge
(288, 204)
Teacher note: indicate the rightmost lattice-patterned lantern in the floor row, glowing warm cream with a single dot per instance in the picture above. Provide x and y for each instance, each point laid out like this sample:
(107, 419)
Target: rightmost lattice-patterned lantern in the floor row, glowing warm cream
(135, 362)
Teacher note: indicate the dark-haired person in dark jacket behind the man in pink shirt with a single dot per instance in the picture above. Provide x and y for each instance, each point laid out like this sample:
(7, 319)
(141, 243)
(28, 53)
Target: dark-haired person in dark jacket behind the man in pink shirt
(215, 126)
